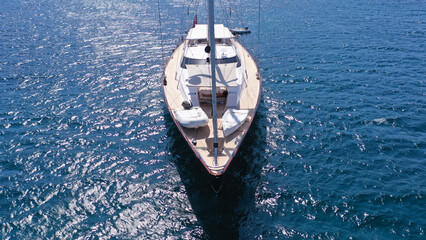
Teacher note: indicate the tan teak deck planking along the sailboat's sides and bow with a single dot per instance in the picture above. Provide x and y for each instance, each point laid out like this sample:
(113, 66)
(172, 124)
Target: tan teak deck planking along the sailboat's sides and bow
(249, 100)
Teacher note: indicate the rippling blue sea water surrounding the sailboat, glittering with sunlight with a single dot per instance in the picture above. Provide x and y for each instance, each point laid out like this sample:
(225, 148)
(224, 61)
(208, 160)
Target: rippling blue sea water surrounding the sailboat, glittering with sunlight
(89, 151)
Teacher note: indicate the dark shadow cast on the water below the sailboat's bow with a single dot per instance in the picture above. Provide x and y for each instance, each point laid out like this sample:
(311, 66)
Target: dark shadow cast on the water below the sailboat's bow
(222, 205)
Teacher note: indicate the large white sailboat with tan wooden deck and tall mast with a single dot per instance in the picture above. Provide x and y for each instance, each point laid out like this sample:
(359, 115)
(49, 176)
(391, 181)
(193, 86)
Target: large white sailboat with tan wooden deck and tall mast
(211, 86)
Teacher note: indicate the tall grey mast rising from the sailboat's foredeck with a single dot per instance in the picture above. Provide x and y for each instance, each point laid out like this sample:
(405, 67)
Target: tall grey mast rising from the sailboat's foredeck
(213, 73)
